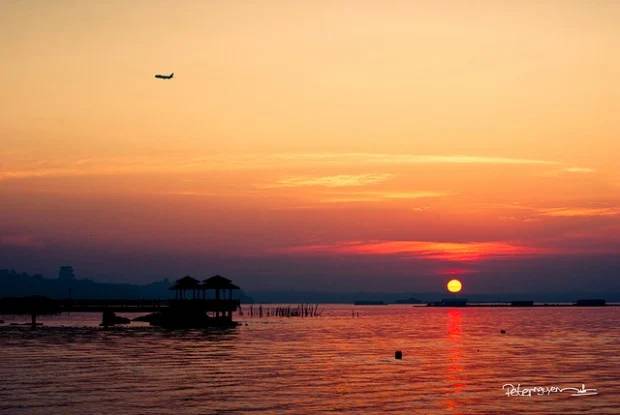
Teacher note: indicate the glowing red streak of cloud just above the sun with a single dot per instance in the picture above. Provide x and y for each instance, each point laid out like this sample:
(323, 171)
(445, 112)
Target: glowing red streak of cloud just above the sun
(443, 251)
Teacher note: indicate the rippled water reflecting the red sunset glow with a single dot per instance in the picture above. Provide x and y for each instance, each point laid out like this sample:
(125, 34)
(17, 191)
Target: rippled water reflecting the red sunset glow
(455, 362)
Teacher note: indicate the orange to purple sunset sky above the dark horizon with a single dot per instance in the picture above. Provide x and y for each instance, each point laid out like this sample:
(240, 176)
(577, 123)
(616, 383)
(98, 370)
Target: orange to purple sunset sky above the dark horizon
(314, 145)
